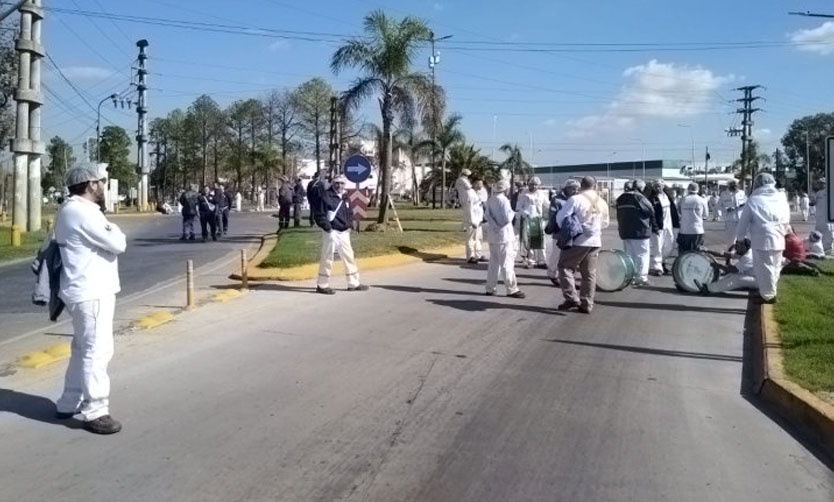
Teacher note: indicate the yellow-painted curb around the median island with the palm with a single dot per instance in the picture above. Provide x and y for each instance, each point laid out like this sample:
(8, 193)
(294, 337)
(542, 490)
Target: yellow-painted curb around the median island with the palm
(310, 271)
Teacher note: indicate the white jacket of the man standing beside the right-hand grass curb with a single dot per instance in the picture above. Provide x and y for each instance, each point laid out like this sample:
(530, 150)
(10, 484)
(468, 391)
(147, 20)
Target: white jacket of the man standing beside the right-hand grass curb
(765, 219)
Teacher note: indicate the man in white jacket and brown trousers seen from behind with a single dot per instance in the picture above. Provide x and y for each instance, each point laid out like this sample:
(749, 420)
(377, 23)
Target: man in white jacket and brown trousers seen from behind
(591, 212)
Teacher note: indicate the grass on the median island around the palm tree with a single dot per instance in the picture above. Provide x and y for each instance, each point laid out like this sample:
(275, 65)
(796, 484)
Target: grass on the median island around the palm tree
(423, 229)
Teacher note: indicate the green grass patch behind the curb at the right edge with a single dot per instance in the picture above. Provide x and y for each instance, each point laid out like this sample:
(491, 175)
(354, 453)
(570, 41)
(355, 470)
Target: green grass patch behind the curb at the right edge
(806, 327)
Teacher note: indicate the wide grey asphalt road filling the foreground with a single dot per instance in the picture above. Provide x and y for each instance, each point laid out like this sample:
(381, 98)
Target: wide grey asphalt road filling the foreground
(421, 389)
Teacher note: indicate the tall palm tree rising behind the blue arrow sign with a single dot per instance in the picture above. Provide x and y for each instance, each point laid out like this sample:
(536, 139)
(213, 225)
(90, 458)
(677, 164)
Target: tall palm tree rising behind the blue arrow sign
(384, 55)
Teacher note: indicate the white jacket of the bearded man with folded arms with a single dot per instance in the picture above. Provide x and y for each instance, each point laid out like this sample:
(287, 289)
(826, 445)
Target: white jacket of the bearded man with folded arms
(89, 247)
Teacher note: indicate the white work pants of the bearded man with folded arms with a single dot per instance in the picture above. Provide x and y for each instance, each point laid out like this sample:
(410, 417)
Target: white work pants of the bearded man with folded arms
(86, 384)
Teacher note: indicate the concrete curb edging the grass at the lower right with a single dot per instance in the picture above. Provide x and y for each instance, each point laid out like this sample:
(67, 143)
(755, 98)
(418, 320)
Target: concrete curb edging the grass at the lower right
(798, 406)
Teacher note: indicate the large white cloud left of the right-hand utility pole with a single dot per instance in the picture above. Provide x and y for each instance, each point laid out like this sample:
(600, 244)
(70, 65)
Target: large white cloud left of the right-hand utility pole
(655, 90)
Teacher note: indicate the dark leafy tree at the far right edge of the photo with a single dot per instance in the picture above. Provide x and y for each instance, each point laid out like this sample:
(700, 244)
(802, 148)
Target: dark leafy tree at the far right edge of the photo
(807, 135)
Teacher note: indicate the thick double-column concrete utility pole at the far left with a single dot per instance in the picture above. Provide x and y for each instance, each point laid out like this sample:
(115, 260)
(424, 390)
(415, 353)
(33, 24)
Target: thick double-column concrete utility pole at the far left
(27, 145)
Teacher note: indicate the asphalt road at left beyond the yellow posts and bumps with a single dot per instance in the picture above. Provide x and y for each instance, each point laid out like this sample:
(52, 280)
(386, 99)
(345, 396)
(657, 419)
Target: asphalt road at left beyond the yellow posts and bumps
(154, 257)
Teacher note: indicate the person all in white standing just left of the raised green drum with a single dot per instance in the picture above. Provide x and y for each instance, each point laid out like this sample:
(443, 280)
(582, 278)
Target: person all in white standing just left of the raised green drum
(502, 250)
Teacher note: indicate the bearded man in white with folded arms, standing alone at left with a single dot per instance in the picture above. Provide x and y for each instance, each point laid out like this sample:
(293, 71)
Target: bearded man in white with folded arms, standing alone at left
(89, 246)
